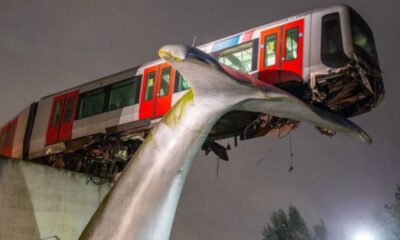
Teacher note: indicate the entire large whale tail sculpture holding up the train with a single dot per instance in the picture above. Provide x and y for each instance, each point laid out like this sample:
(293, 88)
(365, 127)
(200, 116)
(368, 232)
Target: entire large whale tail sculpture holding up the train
(143, 202)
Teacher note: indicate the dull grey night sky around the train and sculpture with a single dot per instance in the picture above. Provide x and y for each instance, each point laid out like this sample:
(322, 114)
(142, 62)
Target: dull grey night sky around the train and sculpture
(46, 46)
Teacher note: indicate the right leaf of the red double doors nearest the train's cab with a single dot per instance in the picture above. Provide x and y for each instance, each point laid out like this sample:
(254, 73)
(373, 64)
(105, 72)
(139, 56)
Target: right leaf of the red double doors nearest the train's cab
(292, 42)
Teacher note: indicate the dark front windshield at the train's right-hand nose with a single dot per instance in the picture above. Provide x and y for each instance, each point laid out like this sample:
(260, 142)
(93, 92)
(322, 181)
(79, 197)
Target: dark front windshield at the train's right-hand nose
(363, 39)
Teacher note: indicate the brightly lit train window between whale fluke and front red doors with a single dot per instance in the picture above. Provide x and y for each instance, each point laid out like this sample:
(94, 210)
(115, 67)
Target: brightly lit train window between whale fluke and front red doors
(239, 57)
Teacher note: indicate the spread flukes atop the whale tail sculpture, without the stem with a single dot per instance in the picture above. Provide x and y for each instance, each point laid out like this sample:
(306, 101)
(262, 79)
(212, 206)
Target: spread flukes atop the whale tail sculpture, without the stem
(218, 82)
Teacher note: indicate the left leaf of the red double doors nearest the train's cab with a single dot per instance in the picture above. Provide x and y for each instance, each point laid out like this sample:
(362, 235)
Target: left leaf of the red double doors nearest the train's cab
(270, 55)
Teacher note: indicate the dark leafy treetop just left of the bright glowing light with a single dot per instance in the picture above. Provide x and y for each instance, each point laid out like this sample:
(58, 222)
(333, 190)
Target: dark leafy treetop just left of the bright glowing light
(292, 226)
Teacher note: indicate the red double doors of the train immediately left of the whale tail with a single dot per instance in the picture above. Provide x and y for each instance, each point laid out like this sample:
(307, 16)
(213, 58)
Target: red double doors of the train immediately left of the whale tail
(157, 91)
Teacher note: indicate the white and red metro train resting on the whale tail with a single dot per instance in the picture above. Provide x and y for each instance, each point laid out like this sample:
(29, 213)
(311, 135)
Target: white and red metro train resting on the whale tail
(325, 57)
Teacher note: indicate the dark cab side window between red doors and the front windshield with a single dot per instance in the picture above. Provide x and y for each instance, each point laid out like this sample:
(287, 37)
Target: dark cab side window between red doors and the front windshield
(332, 53)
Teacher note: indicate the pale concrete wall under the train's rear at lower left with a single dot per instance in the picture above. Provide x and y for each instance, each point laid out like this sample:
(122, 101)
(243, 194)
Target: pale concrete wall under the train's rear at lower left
(40, 202)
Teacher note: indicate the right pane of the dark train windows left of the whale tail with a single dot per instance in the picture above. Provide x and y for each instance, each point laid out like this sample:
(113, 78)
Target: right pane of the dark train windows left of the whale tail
(123, 94)
